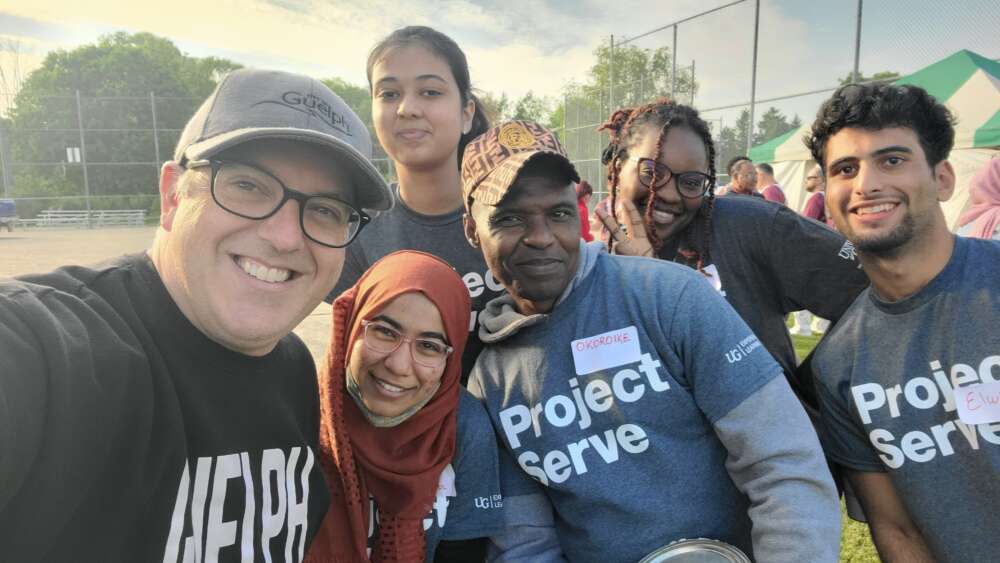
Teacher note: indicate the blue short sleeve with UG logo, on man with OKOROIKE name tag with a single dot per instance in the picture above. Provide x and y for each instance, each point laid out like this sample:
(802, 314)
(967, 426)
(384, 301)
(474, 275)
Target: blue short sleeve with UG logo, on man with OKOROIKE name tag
(719, 357)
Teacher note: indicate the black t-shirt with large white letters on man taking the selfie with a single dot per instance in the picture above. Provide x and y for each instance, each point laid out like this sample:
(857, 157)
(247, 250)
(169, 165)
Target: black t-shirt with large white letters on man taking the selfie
(134, 437)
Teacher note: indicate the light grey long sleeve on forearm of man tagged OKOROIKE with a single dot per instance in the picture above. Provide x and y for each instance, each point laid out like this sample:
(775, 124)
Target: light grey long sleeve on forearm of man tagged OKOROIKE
(775, 459)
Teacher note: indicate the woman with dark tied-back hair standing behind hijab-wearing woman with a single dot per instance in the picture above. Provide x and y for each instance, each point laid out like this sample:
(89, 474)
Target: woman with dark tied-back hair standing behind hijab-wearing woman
(424, 114)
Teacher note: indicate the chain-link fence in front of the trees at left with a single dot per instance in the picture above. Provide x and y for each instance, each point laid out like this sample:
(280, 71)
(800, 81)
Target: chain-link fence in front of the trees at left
(83, 152)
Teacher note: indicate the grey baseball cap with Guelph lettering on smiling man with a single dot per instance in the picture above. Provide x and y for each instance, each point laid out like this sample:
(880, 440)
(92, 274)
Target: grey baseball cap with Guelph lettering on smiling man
(251, 104)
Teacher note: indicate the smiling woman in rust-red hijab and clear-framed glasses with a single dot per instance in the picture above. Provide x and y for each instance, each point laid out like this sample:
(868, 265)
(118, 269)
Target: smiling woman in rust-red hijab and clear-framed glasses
(410, 457)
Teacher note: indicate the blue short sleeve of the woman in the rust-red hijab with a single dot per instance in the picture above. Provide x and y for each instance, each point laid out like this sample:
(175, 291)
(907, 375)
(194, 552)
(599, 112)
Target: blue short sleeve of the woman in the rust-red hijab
(477, 509)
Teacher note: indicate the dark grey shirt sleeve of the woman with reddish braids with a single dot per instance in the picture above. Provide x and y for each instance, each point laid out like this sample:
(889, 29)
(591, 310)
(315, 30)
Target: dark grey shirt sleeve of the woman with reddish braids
(816, 268)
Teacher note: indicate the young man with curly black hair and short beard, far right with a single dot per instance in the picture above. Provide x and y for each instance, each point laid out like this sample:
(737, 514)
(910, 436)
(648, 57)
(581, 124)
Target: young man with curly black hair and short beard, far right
(906, 377)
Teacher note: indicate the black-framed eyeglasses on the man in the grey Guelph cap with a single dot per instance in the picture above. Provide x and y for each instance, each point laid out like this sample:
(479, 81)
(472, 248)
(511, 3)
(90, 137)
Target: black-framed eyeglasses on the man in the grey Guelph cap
(249, 192)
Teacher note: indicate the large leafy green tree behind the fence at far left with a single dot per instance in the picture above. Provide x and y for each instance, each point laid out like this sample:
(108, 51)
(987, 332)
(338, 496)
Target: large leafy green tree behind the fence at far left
(115, 77)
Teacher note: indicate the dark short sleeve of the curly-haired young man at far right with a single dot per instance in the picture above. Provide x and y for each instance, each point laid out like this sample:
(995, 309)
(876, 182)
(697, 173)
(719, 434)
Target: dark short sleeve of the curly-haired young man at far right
(842, 438)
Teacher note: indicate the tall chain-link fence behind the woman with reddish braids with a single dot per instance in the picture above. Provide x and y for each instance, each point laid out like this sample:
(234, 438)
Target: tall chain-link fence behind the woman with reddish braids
(766, 64)
